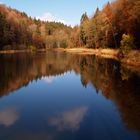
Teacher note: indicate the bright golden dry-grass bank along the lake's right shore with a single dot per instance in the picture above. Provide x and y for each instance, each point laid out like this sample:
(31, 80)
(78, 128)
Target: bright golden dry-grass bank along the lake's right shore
(132, 58)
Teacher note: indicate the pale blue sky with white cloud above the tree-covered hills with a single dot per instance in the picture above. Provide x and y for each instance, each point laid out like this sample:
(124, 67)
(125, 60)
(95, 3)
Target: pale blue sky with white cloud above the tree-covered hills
(65, 11)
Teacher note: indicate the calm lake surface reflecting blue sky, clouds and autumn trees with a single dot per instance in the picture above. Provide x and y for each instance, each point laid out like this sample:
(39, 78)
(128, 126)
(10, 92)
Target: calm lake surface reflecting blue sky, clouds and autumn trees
(59, 96)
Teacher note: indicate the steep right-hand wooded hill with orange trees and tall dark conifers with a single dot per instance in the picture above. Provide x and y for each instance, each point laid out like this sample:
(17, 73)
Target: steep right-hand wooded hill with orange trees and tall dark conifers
(116, 25)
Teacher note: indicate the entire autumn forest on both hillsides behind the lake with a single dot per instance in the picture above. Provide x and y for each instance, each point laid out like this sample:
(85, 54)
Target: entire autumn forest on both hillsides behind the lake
(115, 26)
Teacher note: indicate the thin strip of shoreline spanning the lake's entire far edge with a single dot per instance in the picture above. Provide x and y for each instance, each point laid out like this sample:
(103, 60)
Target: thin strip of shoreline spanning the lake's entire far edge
(132, 59)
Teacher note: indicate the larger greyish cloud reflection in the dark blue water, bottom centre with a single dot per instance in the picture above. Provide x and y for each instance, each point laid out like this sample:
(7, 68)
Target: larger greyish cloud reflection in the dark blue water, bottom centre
(69, 120)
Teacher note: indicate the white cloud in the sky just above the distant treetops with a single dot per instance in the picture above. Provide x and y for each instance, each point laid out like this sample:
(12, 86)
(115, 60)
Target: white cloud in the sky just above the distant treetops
(50, 17)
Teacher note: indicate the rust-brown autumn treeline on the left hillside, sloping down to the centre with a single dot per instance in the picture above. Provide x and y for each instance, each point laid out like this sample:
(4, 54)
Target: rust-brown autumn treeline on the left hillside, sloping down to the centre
(18, 31)
